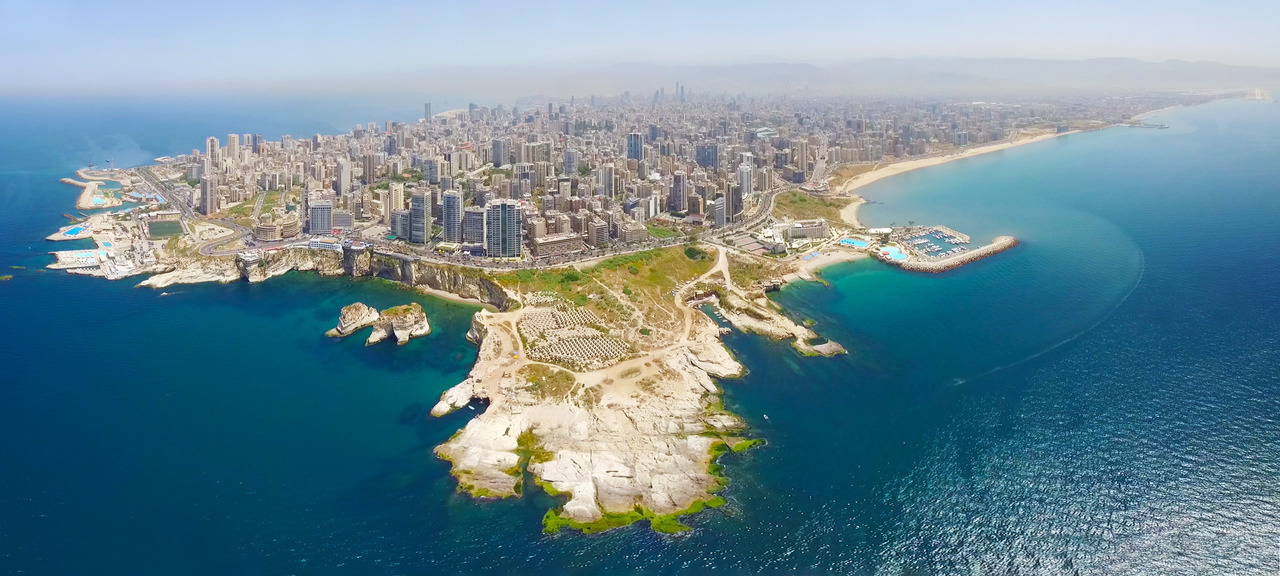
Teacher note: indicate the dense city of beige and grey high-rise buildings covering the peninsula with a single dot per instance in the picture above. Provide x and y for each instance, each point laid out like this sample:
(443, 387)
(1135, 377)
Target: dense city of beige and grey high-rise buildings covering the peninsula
(557, 179)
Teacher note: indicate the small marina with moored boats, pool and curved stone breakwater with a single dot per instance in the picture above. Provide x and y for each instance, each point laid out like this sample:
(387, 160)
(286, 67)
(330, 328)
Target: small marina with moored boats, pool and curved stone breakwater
(934, 249)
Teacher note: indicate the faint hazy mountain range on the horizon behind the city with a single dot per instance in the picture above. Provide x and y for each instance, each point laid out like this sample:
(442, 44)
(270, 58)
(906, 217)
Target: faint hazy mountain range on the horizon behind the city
(886, 77)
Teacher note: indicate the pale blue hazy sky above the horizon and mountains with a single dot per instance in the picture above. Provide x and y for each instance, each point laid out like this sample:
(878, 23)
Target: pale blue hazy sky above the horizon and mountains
(97, 44)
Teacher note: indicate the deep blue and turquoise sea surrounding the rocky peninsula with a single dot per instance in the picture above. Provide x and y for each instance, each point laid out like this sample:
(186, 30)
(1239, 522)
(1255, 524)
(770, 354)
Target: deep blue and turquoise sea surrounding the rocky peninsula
(1101, 400)
